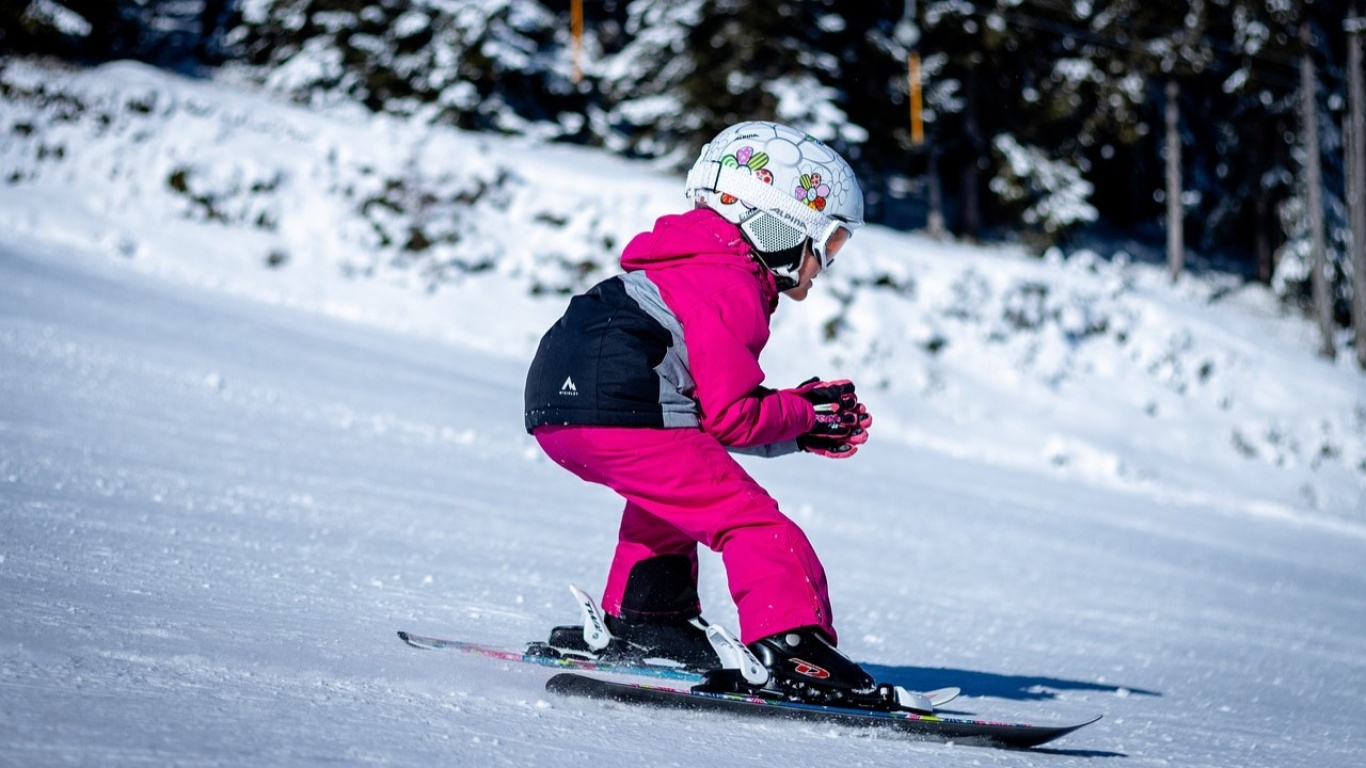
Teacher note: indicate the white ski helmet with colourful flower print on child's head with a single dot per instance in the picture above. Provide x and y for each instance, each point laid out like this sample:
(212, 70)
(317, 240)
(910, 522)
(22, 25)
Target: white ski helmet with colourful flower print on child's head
(783, 188)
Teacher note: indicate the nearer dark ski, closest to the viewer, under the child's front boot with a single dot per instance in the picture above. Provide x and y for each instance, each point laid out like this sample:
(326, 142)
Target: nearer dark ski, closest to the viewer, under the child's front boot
(925, 728)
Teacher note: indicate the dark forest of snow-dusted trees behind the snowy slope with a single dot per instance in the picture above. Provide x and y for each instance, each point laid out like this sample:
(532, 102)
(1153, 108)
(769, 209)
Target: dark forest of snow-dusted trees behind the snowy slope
(1214, 135)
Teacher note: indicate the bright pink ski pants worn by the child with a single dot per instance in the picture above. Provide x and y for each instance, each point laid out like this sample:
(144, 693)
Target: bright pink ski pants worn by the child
(682, 489)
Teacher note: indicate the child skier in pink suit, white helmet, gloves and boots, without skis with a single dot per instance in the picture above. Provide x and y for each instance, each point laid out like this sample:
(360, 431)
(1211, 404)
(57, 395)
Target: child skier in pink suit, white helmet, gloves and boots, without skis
(652, 378)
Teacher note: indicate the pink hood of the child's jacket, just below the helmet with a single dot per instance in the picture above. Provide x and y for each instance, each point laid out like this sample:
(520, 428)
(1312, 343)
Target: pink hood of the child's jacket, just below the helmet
(695, 238)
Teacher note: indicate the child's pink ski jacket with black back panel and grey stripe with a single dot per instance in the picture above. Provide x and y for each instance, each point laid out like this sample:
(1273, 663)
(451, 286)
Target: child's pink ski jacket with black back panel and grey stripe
(674, 342)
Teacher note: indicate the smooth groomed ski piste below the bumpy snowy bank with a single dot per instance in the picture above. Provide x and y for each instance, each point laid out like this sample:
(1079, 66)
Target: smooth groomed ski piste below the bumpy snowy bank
(217, 515)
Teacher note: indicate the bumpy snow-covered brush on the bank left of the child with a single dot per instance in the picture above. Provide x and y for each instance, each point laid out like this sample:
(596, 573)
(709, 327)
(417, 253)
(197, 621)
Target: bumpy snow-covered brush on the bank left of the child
(428, 206)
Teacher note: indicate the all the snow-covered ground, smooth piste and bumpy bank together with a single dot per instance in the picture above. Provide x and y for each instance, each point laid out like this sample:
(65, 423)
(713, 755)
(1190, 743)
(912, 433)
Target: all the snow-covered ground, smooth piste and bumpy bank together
(226, 484)
